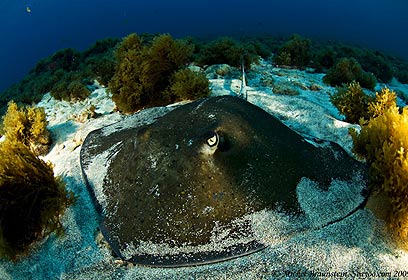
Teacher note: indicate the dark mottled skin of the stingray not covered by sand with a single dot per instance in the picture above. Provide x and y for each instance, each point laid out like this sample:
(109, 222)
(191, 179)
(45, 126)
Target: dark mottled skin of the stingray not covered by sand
(161, 188)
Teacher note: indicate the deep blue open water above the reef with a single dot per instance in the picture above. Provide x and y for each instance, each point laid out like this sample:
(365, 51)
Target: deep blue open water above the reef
(33, 29)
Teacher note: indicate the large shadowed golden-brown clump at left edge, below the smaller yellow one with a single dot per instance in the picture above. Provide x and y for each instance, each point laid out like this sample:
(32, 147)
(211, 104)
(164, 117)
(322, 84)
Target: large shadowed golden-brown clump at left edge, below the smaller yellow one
(31, 200)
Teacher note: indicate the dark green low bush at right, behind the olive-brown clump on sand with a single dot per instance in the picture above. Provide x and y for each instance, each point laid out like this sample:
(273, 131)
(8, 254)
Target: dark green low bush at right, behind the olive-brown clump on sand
(348, 70)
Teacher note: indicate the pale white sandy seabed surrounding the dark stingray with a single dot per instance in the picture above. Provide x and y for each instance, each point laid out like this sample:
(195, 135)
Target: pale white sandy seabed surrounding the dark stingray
(354, 247)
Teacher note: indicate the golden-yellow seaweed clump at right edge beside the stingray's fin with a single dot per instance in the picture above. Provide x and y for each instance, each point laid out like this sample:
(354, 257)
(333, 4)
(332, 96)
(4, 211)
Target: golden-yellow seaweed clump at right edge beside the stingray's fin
(383, 142)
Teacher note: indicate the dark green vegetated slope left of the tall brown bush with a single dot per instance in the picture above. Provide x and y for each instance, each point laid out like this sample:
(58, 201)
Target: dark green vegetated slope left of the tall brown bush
(55, 73)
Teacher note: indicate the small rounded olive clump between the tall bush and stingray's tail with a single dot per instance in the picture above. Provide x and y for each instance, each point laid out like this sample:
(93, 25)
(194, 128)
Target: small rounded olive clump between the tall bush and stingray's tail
(187, 84)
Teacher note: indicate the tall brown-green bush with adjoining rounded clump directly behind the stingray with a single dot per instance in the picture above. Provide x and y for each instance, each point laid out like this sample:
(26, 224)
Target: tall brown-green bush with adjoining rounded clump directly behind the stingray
(154, 74)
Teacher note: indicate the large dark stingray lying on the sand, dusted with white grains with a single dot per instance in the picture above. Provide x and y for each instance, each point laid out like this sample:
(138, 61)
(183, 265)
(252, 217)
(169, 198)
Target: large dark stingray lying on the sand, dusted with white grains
(178, 188)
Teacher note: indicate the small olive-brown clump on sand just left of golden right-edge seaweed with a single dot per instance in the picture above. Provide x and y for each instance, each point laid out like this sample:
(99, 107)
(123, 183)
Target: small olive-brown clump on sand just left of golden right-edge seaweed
(352, 102)
